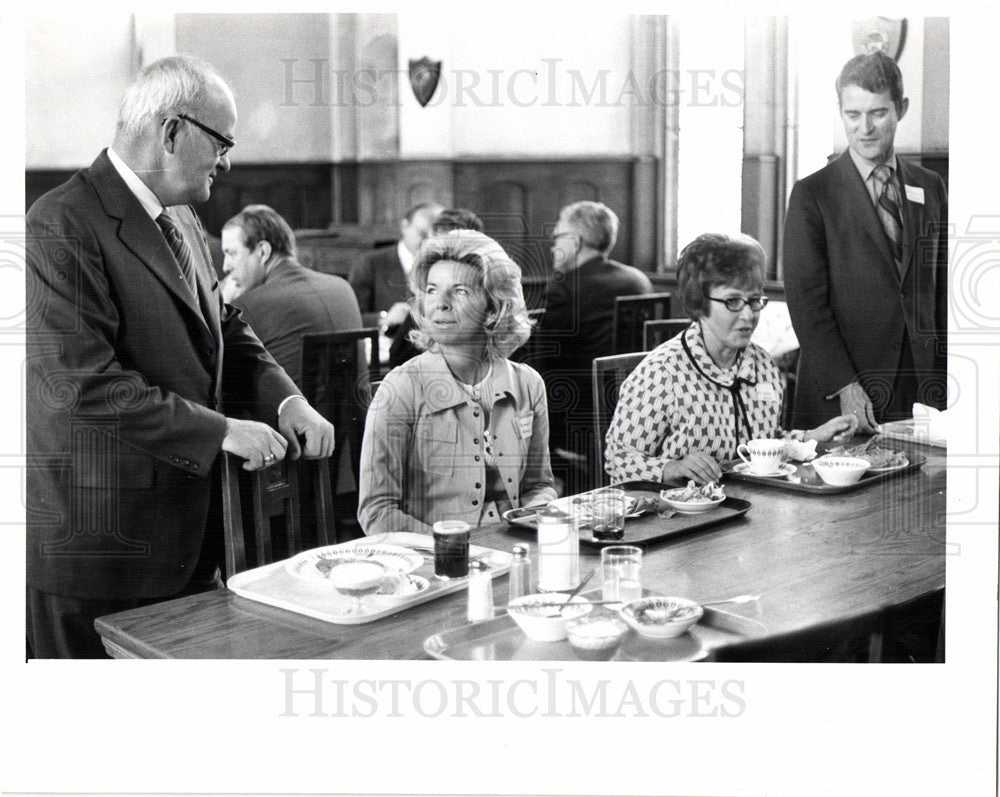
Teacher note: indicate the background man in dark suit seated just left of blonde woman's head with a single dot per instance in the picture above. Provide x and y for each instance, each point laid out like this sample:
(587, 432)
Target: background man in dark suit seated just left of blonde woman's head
(382, 280)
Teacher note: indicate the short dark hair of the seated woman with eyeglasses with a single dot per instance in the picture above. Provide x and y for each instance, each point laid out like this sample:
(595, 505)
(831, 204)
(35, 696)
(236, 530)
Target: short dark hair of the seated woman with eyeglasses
(714, 259)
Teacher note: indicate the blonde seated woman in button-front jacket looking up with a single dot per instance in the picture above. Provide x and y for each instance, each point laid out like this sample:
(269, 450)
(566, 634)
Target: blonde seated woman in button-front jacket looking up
(459, 432)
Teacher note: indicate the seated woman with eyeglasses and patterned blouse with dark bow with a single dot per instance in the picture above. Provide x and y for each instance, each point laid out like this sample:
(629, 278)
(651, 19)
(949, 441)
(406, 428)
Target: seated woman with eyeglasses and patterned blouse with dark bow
(689, 404)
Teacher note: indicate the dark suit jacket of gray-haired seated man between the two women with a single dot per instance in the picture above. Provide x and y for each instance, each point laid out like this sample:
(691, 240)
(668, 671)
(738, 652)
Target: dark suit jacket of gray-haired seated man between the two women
(576, 328)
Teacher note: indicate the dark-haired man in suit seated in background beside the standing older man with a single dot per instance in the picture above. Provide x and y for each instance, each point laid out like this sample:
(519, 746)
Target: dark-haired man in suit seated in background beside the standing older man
(280, 299)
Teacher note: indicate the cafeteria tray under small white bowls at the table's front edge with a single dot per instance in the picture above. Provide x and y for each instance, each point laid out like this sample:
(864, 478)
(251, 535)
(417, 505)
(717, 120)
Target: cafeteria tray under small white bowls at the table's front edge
(500, 639)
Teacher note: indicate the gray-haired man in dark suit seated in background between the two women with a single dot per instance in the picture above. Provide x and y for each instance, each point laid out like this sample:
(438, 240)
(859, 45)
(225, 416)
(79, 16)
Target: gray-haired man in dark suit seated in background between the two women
(577, 327)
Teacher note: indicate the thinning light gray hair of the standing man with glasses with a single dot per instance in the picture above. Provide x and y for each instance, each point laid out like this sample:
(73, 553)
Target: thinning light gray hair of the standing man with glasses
(173, 85)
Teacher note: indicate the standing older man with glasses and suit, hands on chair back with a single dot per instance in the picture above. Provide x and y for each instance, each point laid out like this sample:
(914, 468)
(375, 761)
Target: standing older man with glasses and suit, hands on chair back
(135, 369)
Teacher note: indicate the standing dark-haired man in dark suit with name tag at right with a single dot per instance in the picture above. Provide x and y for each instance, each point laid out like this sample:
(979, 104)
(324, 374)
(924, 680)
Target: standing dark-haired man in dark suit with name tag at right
(865, 264)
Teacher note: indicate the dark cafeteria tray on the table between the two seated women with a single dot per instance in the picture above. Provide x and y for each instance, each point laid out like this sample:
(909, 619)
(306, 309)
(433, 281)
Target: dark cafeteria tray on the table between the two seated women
(647, 527)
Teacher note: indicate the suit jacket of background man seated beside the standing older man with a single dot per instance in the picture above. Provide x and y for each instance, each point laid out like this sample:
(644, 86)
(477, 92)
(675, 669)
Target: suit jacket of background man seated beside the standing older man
(293, 301)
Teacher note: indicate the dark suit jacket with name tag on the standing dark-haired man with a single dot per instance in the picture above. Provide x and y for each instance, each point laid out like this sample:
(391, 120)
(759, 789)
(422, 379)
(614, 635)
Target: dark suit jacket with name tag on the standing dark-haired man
(850, 306)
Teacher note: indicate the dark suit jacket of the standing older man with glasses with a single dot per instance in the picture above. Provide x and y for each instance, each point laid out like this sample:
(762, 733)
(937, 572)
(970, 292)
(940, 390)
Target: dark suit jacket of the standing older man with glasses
(126, 382)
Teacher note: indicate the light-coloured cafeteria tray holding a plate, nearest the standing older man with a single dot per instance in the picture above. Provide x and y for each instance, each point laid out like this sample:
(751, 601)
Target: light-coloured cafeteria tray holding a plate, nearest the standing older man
(275, 585)
